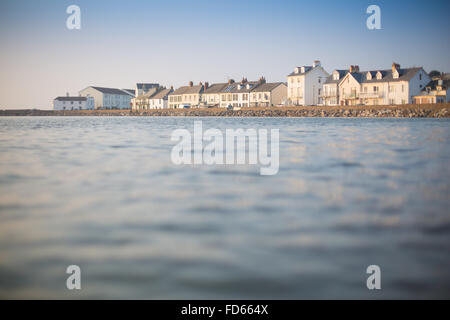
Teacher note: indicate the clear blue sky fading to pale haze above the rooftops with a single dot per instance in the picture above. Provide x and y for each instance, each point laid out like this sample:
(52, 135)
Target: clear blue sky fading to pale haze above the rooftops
(172, 42)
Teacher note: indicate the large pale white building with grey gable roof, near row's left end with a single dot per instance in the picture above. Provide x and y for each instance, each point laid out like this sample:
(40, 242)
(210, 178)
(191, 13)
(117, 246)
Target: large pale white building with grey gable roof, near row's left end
(108, 98)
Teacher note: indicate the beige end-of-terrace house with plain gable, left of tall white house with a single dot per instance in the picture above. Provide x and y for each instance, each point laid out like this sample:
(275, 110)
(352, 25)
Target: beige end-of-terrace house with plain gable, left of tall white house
(268, 95)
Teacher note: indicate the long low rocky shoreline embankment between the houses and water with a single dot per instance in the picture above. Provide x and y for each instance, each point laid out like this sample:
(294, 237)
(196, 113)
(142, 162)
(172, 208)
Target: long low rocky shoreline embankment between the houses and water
(400, 111)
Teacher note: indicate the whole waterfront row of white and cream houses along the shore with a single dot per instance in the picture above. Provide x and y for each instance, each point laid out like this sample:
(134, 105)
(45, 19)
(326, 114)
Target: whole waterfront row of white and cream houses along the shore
(306, 86)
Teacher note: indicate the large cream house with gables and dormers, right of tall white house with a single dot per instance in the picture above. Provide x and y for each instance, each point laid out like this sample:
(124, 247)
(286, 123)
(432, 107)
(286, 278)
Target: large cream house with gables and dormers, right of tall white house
(381, 87)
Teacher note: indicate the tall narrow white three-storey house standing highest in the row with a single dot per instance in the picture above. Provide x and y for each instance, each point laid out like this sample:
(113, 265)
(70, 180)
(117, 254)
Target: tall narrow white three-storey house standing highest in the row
(305, 85)
